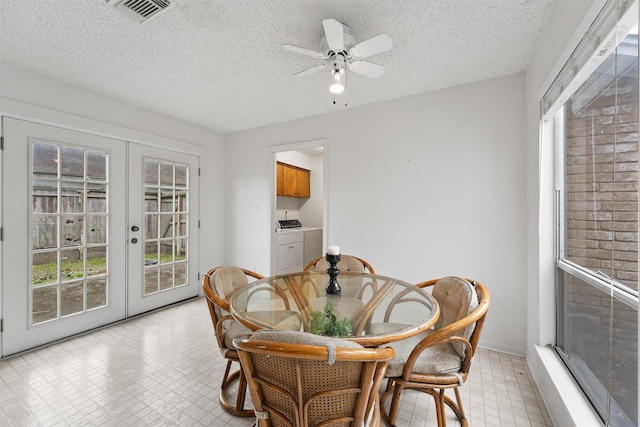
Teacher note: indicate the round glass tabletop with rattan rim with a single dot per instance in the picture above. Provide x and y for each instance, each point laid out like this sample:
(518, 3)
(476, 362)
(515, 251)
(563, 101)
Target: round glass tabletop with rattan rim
(371, 309)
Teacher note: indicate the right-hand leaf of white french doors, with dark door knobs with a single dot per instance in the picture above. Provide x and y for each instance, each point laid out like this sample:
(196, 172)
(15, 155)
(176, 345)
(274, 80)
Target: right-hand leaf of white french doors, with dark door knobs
(163, 227)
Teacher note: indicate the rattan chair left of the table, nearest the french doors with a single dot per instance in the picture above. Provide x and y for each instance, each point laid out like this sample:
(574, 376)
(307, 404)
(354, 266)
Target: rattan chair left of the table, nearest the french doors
(219, 284)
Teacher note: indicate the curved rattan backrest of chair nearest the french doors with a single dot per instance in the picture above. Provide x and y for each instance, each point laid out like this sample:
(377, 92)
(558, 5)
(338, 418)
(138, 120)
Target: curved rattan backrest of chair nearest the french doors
(218, 284)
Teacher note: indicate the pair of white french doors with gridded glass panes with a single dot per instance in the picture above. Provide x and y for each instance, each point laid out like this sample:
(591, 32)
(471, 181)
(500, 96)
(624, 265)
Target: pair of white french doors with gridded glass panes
(71, 260)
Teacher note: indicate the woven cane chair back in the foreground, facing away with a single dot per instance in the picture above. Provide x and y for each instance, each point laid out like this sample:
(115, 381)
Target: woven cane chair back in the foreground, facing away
(301, 379)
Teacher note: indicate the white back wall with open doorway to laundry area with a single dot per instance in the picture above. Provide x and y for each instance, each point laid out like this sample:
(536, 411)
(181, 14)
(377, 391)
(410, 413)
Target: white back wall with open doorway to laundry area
(421, 187)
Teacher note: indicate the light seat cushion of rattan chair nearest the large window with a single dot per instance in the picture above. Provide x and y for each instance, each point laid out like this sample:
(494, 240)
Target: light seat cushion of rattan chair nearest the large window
(440, 359)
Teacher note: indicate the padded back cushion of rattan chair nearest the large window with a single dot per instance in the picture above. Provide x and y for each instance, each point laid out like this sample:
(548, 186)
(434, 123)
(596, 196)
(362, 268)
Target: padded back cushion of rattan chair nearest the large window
(457, 298)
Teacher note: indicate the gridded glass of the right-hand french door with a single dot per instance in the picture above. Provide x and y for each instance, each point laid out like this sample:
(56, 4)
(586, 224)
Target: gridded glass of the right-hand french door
(166, 234)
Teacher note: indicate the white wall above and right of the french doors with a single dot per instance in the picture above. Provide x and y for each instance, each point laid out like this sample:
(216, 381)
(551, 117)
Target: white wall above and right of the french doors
(31, 96)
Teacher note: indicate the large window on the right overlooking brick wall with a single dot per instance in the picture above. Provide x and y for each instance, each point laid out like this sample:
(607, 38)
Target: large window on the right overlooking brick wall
(594, 103)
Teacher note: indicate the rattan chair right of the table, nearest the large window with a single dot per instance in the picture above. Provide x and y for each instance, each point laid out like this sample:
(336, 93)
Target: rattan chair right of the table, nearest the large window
(441, 358)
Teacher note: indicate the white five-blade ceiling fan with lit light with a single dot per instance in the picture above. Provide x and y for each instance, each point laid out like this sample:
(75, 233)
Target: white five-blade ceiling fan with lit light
(339, 51)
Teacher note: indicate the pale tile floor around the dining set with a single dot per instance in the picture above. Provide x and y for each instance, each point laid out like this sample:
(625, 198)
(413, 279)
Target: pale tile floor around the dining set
(164, 368)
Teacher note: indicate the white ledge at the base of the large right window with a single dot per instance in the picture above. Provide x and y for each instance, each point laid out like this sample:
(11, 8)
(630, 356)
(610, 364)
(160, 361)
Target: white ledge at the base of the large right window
(565, 402)
